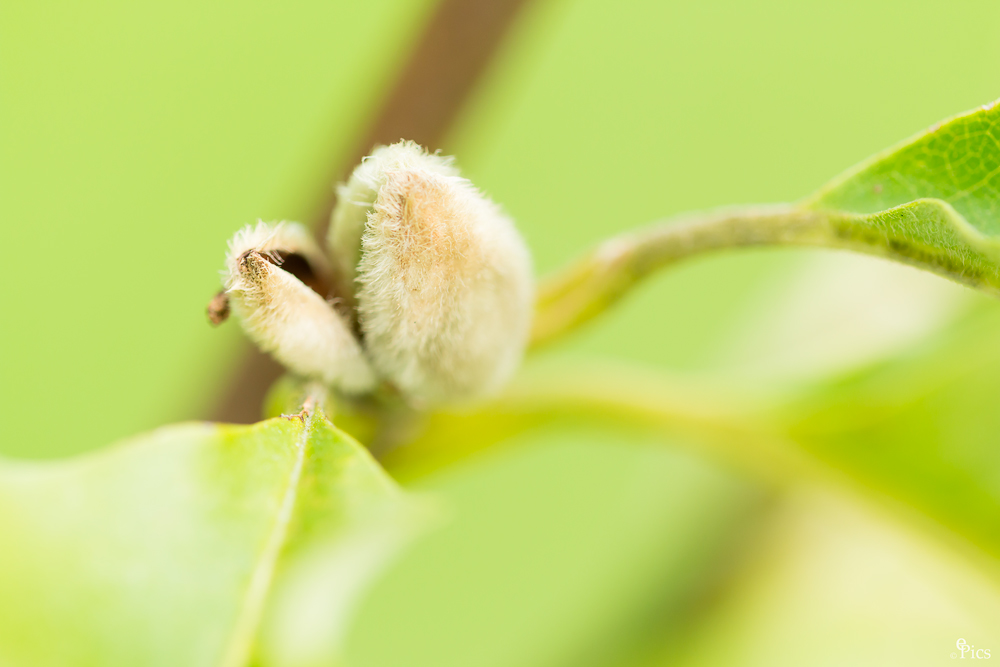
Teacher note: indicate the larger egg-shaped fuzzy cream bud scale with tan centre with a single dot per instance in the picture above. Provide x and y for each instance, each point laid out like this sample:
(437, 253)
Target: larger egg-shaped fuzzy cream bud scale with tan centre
(445, 297)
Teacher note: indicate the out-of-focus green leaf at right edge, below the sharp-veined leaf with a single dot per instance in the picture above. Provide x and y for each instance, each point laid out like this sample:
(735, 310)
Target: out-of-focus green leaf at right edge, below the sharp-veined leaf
(922, 426)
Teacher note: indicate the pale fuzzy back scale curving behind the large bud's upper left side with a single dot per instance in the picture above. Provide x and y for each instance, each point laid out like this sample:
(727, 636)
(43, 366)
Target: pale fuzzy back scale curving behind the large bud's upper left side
(356, 198)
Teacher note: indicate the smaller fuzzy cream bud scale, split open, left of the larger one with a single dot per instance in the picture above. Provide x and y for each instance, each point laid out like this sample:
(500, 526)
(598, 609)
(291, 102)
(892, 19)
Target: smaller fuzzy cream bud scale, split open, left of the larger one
(284, 316)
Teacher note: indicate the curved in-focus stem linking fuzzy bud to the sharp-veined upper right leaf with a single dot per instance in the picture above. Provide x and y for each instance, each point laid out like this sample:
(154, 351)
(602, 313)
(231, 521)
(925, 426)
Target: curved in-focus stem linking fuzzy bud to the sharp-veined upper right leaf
(925, 233)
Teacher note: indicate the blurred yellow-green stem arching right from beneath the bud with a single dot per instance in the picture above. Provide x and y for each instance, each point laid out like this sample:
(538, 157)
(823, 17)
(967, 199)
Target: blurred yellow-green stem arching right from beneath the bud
(735, 429)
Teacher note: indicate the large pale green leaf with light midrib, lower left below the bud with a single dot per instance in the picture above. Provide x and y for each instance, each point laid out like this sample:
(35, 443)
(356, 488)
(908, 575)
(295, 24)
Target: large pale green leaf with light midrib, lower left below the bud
(174, 548)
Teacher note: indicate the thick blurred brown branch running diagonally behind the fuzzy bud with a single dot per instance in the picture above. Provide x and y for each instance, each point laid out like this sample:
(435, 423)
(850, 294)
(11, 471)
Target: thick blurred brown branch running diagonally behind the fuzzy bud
(454, 50)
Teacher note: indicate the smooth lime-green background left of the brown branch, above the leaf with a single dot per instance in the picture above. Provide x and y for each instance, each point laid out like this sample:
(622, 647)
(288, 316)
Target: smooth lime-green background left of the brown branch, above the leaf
(135, 140)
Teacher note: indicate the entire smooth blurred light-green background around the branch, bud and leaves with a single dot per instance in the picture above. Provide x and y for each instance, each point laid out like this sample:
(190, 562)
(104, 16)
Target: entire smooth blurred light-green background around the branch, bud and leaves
(137, 137)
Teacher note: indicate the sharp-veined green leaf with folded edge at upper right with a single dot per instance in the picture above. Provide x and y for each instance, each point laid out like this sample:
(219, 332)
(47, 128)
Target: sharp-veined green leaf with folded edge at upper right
(933, 201)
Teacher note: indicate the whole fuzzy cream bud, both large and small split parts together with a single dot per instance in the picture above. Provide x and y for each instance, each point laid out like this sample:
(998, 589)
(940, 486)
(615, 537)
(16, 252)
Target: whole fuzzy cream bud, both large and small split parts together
(436, 279)
